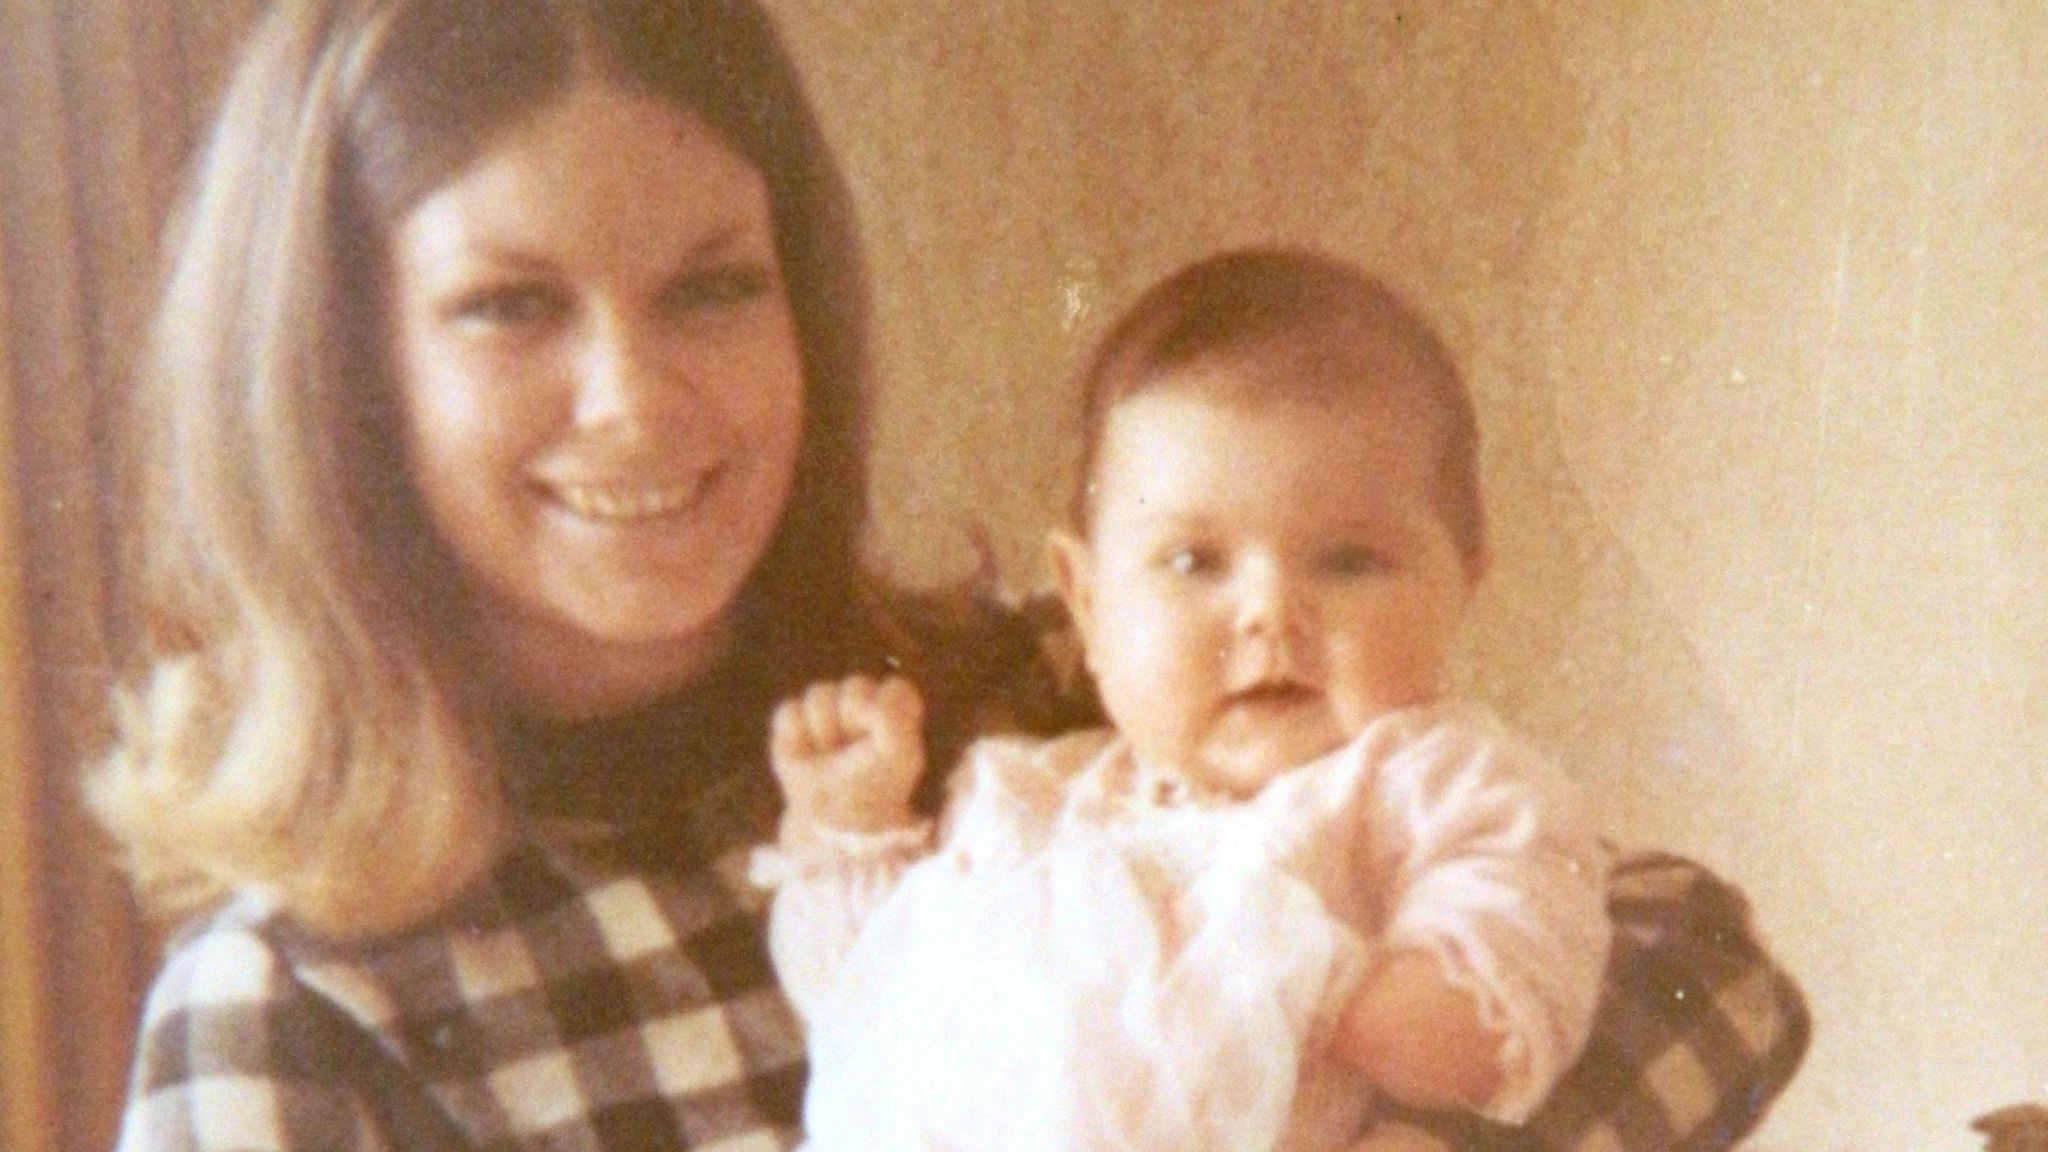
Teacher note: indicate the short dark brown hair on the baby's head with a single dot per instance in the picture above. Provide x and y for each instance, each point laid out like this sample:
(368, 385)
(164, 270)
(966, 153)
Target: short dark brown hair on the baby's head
(1330, 333)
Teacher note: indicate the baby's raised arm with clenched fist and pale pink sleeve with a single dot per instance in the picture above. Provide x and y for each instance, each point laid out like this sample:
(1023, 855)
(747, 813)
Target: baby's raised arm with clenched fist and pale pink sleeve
(849, 757)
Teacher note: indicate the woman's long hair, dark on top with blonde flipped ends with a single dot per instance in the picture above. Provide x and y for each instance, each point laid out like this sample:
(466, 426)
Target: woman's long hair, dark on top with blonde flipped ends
(296, 718)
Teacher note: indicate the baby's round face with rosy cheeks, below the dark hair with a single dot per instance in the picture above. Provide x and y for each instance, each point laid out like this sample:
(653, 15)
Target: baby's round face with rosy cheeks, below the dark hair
(1263, 581)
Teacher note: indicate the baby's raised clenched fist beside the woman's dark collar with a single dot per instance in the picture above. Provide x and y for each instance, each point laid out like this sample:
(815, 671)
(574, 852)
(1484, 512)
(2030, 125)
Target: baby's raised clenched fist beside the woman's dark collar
(849, 753)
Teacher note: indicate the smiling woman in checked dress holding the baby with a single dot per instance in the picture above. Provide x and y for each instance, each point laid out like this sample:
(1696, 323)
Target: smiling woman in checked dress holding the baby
(503, 466)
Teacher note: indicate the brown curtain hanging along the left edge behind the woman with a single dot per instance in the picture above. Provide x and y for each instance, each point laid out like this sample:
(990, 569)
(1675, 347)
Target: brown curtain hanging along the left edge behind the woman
(99, 108)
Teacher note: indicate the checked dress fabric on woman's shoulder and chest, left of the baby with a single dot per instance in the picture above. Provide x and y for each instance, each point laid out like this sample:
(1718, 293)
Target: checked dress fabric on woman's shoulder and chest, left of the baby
(550, 1010)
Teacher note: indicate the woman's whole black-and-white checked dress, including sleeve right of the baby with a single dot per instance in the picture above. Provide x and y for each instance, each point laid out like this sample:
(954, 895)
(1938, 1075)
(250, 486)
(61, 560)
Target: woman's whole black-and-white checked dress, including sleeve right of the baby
(595, 995)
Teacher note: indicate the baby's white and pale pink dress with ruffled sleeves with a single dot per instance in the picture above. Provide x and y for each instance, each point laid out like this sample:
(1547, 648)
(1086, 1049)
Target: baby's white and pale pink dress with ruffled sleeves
(1103, 956)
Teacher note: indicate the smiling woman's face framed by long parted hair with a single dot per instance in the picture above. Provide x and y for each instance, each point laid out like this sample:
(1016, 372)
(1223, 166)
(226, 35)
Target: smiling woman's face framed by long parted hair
(601, 388)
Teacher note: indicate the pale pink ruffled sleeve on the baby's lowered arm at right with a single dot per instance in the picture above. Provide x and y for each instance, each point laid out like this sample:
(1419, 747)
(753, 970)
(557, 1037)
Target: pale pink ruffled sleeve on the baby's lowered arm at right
(1494, 870)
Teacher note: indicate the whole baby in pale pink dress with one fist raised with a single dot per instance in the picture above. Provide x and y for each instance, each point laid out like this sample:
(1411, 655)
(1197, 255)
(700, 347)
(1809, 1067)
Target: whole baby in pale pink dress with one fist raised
(1295, 878)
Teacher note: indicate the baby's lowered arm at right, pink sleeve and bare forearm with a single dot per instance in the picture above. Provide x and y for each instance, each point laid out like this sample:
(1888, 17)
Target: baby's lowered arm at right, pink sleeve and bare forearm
(1496, 928)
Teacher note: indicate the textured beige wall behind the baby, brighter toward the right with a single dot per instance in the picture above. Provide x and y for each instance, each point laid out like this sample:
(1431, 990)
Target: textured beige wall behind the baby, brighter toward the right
(1756, 306)
